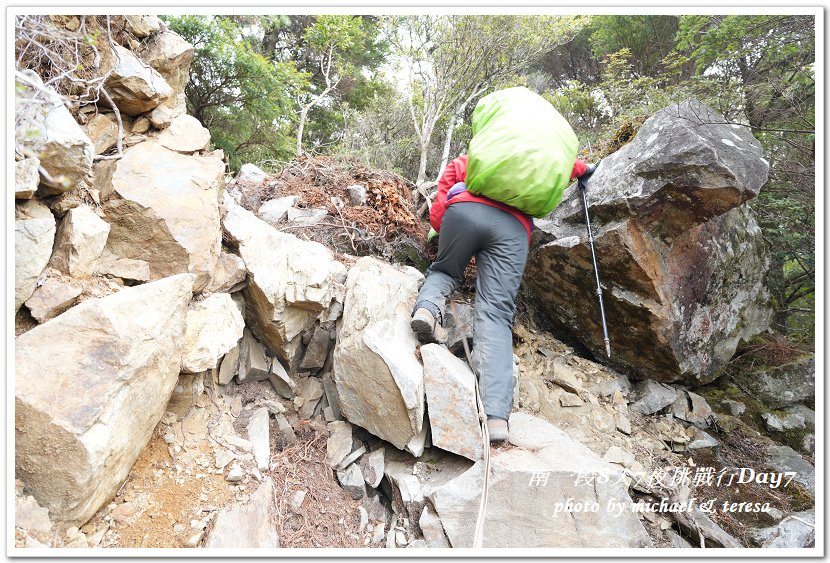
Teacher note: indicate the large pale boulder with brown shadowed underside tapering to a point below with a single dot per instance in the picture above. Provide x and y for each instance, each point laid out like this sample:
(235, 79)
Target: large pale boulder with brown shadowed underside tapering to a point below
(291, 282)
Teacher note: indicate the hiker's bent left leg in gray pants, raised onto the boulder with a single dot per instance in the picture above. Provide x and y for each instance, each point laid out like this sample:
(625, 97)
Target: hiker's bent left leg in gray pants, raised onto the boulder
(457, 243)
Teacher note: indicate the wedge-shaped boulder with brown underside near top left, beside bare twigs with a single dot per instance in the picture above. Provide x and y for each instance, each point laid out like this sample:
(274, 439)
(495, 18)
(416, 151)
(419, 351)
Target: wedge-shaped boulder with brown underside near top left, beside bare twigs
(133, 86)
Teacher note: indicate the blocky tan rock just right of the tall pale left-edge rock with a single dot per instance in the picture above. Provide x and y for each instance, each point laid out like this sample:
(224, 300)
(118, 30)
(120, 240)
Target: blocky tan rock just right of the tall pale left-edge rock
(80, 241)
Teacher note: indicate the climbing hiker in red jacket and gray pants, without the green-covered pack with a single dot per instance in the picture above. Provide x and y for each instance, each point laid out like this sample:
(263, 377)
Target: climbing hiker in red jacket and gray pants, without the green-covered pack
(498, 235)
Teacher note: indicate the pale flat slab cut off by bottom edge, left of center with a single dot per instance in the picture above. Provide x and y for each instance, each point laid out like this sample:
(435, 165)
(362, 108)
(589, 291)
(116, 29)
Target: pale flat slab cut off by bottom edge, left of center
(250, 525)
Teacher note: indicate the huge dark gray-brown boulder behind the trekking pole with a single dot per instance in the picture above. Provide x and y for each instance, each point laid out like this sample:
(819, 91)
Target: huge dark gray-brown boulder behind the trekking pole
(680, 257)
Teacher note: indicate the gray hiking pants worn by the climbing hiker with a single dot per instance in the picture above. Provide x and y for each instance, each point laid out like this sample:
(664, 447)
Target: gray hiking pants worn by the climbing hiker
(498, 240)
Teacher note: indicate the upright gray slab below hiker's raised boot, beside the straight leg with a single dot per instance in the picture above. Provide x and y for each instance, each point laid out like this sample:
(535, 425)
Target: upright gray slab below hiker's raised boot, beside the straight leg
(451, 396)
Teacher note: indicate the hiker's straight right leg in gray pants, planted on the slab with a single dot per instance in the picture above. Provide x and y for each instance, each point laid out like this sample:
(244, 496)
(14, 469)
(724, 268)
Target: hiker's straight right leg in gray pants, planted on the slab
(500, 263)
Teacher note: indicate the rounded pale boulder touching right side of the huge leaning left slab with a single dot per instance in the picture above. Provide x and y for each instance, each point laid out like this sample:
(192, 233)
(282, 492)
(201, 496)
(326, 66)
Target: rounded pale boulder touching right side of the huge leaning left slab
(214, 327)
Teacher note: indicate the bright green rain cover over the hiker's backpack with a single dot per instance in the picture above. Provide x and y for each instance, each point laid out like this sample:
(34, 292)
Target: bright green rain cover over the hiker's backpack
(522, 151)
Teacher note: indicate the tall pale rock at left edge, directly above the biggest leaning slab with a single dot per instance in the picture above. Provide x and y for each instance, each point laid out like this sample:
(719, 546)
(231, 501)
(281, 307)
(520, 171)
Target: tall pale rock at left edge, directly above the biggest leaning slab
(34, 236)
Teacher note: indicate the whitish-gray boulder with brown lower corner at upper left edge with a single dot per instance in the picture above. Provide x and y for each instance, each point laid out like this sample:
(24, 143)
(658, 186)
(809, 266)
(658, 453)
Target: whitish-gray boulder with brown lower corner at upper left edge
(46, 130)
